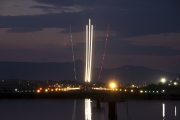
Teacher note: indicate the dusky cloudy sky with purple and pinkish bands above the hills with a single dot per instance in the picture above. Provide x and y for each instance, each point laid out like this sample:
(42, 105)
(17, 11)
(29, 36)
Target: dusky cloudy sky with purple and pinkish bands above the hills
(142, 32)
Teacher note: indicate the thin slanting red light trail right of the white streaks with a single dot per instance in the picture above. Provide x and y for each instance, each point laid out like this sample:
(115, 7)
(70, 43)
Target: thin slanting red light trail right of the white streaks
(104, 53)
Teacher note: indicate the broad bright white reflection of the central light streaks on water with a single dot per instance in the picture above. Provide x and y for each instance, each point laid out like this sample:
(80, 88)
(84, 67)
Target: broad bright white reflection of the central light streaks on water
(88, 109)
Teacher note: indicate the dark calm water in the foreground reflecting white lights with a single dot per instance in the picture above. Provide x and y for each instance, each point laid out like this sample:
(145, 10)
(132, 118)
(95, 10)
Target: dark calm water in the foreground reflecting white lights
(67, 109)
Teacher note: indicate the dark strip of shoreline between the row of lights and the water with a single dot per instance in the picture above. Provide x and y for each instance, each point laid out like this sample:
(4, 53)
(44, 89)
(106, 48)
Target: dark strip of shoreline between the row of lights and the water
(102, 96)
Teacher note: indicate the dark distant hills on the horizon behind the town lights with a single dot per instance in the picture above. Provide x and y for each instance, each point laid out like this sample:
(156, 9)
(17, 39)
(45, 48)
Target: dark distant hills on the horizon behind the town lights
(65, 71)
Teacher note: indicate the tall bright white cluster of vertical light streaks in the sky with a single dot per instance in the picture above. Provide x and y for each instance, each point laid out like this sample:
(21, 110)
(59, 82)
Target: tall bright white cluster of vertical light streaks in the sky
(89, 51)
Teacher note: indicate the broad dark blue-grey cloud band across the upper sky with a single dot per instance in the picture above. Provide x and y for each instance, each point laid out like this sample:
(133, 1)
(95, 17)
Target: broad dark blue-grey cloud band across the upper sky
(126, 17)
